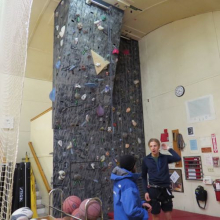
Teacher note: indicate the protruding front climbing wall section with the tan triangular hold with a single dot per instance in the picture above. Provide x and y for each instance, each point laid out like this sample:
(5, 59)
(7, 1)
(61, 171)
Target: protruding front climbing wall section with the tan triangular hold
(86, 41)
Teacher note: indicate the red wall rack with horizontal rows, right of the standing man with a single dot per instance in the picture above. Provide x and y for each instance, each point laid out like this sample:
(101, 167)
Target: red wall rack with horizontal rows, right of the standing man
(193, 168)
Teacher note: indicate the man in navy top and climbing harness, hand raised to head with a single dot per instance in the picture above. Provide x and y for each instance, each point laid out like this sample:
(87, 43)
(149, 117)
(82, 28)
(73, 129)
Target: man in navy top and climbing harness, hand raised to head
(157, 189)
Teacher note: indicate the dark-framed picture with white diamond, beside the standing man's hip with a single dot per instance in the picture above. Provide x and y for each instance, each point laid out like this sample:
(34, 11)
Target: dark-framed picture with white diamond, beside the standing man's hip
(176, 180)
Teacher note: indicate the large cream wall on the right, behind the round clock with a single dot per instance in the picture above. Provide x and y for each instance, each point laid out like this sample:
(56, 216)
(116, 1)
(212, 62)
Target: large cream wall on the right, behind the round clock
(185, 52)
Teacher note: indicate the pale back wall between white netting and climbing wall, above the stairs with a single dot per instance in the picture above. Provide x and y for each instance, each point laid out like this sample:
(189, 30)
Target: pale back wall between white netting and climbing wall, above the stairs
(35, 101)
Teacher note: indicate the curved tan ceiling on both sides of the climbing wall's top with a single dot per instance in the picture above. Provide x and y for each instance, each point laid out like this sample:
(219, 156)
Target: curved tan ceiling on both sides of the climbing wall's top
(151, 14)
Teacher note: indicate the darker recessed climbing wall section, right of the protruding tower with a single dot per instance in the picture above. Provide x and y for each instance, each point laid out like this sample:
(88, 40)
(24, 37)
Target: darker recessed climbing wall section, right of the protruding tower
(127, 102)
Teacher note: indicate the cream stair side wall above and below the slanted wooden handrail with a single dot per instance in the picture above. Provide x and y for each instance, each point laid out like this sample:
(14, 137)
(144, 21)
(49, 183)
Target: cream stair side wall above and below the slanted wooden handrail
(42, 140)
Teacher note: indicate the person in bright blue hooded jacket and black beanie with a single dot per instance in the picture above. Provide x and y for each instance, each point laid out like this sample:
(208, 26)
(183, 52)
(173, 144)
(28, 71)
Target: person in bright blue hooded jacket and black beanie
(127, 201)
